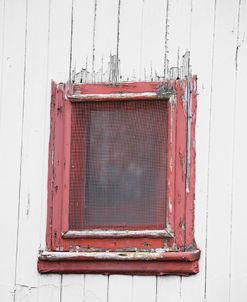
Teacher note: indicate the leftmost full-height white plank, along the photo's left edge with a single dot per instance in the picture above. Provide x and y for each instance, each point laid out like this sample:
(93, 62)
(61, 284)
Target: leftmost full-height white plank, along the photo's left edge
(12, 88)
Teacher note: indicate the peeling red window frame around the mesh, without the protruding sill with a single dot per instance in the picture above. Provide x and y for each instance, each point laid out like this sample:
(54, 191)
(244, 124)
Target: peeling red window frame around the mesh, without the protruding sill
(178, 234)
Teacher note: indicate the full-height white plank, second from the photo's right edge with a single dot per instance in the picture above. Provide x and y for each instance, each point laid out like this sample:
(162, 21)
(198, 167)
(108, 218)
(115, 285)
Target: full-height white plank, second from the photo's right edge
(221, 152)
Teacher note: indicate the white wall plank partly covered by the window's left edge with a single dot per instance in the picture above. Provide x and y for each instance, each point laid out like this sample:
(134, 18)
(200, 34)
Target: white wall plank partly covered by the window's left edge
(58, 60)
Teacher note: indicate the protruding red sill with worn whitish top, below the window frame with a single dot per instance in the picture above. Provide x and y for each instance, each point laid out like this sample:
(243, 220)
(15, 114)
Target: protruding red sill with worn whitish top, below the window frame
(129, 263)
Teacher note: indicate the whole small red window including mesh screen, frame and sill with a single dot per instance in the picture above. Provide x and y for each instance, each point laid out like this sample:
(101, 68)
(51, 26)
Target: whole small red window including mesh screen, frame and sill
(121, 179)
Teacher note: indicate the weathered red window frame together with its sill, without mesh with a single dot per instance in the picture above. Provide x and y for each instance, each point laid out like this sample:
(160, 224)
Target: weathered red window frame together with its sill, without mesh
(169, 251)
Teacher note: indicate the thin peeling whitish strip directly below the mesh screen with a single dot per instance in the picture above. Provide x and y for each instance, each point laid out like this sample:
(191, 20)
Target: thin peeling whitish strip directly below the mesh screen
(117, 234)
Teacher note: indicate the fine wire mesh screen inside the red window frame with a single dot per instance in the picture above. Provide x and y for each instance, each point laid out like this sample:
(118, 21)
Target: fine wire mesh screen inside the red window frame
(118, 165)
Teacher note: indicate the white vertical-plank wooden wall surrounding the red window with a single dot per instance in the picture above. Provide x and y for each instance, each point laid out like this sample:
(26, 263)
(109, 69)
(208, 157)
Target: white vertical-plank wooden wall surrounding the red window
(35, 47)
